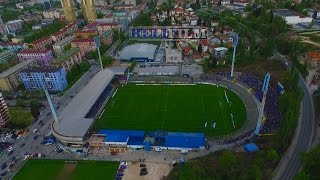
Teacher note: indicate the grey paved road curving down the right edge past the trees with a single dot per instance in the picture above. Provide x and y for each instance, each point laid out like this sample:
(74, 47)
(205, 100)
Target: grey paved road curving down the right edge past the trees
(290, 163)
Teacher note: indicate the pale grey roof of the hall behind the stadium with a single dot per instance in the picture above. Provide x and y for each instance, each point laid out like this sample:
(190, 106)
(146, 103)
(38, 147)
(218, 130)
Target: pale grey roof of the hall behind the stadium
(138, 50)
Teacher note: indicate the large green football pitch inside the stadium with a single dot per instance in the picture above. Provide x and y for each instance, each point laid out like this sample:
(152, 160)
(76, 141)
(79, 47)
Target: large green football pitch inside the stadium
(173, 108)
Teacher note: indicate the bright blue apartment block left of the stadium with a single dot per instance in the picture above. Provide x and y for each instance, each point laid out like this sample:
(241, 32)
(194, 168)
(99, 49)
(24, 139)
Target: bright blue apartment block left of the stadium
(54, 78)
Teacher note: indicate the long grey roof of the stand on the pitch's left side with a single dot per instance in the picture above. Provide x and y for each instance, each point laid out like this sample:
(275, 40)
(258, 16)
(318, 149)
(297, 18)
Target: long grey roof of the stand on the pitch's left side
(72, 121)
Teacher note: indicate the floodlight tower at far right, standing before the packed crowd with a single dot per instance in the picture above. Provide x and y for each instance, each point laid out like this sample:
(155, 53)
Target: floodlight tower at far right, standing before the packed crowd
(261, 110)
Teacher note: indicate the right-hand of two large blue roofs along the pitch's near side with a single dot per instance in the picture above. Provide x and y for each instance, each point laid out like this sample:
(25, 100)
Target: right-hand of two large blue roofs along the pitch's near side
(184, 140)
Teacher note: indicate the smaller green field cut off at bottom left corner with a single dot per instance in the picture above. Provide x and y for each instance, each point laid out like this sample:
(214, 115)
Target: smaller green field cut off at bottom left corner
(55, 169)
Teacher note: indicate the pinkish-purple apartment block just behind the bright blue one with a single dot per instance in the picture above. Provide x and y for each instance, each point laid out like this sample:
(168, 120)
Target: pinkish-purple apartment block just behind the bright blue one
(43, 57)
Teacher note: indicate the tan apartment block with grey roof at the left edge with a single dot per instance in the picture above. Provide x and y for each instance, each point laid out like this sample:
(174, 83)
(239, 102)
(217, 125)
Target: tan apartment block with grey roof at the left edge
(10, 79)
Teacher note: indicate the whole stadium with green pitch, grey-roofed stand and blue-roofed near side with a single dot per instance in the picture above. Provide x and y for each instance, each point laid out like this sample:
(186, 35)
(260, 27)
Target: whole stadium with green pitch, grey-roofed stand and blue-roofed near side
(117, 114)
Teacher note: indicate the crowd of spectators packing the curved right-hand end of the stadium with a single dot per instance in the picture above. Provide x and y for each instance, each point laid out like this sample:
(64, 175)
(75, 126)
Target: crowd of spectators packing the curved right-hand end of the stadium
(271, 110)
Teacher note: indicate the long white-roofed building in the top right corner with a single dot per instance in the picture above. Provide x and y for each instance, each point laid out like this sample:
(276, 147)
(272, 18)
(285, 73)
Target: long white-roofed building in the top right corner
(292, 17)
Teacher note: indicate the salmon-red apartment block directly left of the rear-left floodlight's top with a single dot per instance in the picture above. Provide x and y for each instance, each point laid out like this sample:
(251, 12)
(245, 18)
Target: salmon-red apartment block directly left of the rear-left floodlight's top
(85, 45)
